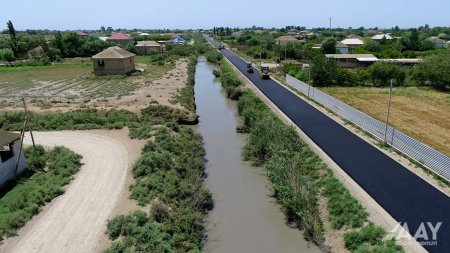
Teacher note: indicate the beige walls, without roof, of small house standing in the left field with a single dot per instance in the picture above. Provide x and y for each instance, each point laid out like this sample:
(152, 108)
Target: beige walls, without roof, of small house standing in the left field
(114, 66)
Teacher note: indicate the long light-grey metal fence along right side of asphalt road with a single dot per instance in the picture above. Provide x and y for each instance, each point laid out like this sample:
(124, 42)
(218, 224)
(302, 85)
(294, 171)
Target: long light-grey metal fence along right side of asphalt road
(416, 150)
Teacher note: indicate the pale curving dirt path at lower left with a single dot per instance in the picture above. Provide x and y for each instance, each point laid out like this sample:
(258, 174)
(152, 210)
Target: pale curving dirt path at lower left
(76, 221)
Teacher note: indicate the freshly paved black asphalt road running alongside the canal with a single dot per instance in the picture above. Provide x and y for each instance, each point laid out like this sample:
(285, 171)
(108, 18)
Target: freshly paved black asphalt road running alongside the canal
(405, 196)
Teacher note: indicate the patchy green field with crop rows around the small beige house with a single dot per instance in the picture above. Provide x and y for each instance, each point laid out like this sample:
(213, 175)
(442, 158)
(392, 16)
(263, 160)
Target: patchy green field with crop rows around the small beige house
(72, 83)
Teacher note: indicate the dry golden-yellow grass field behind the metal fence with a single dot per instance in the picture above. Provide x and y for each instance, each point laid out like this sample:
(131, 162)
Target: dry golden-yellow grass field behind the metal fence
(422, 113)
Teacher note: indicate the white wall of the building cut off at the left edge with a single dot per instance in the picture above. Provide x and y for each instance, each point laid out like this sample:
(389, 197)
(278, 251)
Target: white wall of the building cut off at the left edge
(7, 168)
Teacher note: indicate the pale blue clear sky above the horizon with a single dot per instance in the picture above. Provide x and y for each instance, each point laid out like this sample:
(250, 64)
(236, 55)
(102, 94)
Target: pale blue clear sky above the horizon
(184, 14)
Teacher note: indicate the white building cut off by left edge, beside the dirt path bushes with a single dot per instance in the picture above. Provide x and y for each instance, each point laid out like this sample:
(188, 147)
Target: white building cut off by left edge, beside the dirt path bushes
(9, 153)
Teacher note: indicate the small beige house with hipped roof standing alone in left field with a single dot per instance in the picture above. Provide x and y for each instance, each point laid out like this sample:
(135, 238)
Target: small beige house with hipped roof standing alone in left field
(113, 61)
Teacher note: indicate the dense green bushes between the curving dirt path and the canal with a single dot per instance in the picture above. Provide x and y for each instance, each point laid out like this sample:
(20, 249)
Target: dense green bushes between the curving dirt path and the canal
(168, 177)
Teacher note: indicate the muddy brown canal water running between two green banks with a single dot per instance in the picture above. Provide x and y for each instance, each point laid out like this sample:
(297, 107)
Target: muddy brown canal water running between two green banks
(246, 217)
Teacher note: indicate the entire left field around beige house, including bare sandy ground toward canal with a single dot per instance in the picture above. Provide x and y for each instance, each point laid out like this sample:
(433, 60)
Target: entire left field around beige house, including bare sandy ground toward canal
(72, 85)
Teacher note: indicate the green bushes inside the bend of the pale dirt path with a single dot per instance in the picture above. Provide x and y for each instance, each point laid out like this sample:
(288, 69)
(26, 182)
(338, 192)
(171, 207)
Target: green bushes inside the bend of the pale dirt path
(48, 172)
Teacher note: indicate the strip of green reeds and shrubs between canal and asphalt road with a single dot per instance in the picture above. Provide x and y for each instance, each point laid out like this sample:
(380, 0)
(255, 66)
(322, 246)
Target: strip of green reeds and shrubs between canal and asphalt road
(300, 179)
